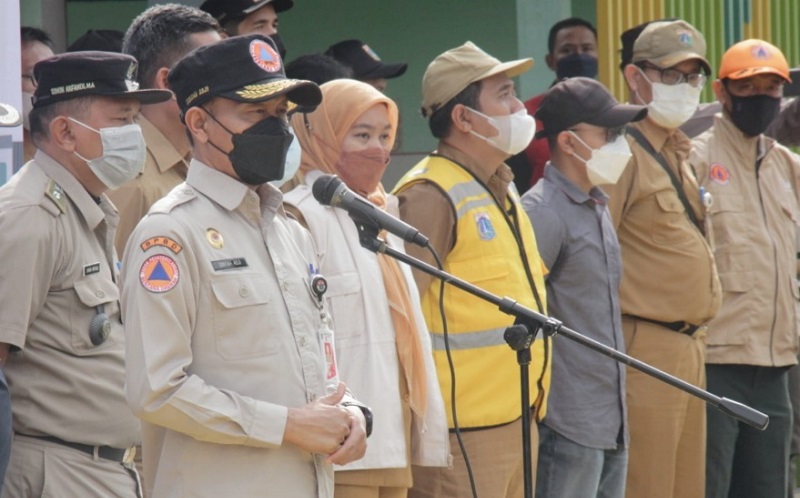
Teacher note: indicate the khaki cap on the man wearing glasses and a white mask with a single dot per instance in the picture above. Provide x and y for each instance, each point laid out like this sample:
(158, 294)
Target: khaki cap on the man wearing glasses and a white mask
(668, 43)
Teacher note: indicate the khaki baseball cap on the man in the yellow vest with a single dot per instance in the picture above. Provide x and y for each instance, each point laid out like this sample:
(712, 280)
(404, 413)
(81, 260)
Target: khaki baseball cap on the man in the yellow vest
(454, 70)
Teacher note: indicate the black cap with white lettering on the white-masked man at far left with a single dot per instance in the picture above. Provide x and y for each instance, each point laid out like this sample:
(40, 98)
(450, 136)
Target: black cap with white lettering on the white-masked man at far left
(82, 74)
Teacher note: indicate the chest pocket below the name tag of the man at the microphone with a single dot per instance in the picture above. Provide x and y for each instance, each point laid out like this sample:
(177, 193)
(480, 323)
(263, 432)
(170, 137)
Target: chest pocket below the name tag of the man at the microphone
(244, 319)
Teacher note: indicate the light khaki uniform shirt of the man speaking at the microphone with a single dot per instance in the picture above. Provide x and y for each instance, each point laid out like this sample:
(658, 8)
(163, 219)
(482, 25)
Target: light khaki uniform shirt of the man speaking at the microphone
(223, 337)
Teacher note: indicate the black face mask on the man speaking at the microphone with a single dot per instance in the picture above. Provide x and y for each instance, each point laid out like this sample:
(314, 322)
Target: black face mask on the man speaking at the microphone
(259, 153)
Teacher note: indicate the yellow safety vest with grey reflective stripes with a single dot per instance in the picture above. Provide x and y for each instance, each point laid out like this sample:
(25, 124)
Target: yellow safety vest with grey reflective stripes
(486, 254)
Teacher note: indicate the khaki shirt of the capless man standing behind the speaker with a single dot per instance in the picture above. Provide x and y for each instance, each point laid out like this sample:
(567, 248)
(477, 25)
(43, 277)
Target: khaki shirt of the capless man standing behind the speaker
(164, 168)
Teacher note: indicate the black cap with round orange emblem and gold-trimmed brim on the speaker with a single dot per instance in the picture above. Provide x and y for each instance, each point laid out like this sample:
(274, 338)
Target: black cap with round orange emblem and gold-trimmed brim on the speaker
(241, 68)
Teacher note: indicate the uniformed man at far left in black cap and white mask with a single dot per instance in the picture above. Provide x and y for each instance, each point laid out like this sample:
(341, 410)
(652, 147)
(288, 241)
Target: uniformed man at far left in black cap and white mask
(74, 432)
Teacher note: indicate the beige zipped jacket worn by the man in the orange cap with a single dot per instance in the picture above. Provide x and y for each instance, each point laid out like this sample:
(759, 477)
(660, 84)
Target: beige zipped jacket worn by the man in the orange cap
(753, 219)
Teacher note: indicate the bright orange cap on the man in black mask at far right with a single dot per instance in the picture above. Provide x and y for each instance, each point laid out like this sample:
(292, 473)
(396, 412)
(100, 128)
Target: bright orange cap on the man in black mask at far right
(751, 57)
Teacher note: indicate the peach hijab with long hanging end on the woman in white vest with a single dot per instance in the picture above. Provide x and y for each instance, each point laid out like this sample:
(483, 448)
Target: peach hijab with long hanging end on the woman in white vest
(321, 134)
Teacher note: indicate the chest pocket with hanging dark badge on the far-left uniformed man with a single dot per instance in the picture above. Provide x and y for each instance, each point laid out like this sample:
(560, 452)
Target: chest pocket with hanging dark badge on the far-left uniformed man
(92, 292)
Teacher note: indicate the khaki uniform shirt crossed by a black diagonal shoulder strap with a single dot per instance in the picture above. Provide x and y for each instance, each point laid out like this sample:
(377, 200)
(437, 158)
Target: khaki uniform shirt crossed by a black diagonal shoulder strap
(668, 269)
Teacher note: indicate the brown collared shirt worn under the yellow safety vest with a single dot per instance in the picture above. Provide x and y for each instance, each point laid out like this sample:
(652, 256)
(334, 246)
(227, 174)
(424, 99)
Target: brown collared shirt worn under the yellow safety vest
(432, 214)
